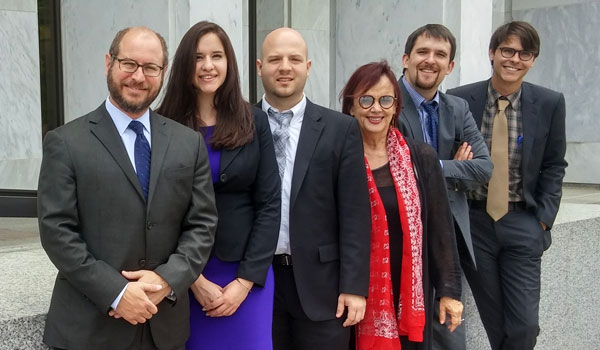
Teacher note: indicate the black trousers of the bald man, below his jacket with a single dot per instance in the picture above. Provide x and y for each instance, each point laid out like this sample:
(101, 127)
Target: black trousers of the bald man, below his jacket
(292, 329)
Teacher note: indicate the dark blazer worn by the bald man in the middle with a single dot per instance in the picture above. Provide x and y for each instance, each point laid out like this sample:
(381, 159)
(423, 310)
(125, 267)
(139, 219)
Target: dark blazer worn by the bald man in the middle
(330, 215)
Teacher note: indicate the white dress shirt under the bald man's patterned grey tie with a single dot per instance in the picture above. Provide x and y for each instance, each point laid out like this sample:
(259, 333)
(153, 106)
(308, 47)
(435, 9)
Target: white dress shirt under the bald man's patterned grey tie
(283, 242)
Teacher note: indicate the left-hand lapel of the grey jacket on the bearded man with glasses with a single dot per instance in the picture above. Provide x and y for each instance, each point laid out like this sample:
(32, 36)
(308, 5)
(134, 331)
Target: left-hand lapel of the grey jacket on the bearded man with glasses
(102, 126)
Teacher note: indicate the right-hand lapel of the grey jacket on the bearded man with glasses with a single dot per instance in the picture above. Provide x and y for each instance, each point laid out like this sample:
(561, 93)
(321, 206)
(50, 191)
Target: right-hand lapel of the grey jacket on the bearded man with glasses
(161, 135)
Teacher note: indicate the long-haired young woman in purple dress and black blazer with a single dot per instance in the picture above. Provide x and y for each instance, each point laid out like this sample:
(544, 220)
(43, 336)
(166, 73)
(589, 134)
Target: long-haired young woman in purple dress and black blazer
(232, 300)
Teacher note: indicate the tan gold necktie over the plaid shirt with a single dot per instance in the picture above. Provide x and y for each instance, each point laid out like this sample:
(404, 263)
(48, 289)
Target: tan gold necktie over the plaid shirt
(497, 203)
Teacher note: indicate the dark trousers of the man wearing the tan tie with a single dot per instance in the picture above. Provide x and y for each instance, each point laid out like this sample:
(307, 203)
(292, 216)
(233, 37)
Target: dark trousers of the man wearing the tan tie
(506, 284)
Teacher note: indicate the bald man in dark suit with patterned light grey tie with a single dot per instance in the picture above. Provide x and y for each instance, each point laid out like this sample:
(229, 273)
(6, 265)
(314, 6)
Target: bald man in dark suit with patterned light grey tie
(322, 259)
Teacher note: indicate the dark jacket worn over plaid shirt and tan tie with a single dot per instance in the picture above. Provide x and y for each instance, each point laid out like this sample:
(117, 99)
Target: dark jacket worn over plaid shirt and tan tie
(544, 143)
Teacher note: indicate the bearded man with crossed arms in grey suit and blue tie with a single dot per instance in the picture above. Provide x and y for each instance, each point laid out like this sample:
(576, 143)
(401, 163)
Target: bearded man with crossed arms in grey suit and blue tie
(444, 122)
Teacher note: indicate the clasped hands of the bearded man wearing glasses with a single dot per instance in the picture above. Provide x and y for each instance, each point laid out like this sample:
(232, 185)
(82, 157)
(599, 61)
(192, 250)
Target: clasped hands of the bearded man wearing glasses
(145, 290)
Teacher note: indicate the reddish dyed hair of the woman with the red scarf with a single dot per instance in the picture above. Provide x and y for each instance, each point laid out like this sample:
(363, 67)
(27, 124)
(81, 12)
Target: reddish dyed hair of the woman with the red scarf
(364, 78)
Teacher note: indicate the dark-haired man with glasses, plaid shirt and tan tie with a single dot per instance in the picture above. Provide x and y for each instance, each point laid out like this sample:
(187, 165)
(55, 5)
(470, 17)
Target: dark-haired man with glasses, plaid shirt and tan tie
(511, 221)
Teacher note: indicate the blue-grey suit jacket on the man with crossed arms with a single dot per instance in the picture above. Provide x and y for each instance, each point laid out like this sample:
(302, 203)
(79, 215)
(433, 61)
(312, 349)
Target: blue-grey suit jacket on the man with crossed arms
(456, 125)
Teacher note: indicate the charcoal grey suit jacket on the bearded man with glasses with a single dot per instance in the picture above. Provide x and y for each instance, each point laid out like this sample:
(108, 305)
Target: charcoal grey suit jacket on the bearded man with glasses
(95, 222)
